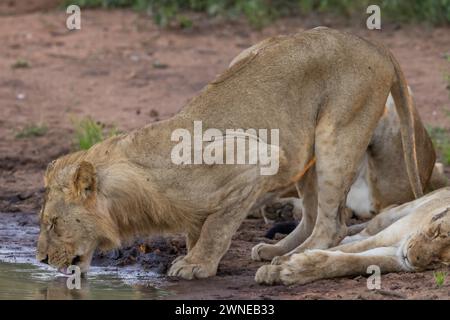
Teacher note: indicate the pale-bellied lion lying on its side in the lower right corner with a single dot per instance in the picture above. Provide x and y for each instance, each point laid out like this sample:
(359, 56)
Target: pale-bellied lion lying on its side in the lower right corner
(411, 237)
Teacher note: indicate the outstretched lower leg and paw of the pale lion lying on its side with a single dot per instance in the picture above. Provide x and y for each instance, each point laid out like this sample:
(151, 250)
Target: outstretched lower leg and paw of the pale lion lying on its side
(313, 265)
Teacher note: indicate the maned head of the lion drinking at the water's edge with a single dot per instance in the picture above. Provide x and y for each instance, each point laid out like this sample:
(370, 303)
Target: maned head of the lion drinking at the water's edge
(95, 199)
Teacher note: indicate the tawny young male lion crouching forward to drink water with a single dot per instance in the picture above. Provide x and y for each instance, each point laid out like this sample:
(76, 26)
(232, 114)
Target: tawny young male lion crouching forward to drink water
(323, 89)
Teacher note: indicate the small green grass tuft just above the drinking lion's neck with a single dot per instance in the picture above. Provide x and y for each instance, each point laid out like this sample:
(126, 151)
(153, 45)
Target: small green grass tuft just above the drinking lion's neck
(89, 132)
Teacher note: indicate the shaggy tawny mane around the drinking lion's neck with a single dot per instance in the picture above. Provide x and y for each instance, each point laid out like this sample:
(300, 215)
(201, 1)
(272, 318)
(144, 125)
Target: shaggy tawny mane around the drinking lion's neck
(126, 203)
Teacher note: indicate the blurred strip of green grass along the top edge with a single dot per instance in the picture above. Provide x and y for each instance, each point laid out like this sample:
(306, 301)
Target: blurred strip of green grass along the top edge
(261, 12)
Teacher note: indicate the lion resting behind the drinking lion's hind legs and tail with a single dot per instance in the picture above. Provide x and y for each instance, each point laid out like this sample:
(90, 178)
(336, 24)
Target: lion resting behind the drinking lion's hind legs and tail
(382, 180)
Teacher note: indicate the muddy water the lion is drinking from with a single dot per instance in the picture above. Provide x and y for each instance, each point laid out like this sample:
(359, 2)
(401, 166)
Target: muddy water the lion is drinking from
(22, 278)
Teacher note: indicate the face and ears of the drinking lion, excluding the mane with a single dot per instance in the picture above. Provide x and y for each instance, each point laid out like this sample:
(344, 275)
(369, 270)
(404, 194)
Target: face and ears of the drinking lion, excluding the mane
(69, 217)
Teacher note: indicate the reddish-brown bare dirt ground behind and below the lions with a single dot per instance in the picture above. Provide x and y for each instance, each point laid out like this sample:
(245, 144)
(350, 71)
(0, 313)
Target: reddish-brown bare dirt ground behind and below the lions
(123, 70)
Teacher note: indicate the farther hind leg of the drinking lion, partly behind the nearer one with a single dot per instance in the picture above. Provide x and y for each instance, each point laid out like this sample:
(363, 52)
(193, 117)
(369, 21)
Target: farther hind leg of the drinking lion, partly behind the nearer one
(308, 191)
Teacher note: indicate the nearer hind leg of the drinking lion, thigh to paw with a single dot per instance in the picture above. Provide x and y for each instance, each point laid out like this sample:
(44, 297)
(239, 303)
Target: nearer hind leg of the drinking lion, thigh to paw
(339, 148)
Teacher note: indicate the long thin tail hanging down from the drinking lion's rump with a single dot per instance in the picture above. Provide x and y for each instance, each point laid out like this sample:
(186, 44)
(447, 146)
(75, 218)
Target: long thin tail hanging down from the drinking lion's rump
(404, 106)
